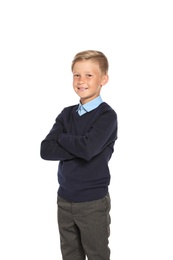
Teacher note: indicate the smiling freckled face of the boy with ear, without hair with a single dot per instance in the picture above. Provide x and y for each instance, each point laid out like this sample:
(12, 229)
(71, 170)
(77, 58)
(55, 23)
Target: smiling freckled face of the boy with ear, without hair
(88, 80)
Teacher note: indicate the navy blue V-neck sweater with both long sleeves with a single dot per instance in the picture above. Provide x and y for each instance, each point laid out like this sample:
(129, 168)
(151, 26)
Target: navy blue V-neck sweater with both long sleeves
(83, 145)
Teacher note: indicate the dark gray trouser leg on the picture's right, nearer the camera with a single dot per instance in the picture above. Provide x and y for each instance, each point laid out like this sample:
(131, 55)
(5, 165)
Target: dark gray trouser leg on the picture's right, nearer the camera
(93, 220)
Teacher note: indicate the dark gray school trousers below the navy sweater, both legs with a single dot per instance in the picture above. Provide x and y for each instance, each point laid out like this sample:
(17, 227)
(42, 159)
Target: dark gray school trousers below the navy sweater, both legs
(84, 229)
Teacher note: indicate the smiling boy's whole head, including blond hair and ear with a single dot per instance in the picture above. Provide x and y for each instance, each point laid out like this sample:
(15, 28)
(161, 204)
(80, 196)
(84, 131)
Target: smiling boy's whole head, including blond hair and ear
(90, 73)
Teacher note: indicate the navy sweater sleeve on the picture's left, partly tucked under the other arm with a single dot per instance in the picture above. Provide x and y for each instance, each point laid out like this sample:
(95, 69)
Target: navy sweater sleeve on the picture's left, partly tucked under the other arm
(50, 148)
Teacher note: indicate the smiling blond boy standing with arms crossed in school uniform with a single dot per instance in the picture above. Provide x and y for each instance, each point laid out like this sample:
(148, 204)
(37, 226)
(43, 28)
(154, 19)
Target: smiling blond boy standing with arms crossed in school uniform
(82, 140)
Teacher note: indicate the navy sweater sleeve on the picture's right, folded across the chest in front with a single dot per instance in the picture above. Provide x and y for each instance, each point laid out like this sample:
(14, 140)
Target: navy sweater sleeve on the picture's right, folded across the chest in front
(101, 134)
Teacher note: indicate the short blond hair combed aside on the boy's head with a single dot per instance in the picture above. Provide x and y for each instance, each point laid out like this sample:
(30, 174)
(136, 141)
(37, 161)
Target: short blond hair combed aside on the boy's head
(96, 56)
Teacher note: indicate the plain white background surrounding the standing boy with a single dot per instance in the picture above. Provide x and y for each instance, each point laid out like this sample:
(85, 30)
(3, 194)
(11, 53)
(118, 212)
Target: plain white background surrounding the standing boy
(38, 40)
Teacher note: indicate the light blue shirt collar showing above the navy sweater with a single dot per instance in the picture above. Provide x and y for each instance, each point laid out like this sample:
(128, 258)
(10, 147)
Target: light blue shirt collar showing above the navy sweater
(89, 106)
